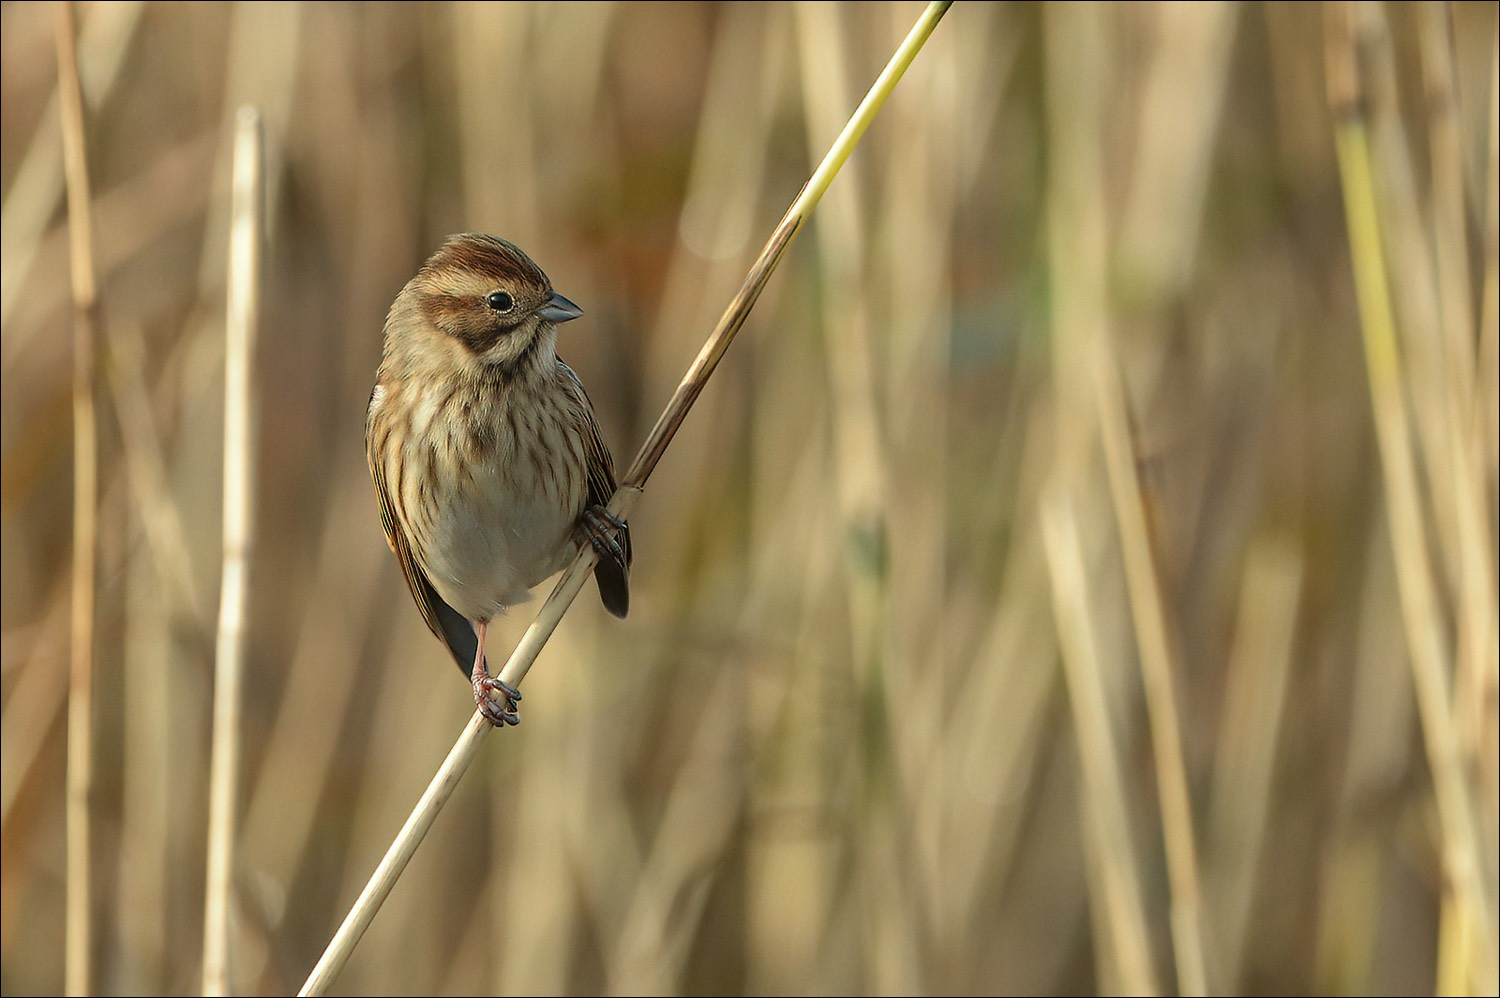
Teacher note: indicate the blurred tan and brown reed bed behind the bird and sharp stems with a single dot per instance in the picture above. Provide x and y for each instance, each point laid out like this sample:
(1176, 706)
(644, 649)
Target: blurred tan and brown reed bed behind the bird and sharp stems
(1016, 613)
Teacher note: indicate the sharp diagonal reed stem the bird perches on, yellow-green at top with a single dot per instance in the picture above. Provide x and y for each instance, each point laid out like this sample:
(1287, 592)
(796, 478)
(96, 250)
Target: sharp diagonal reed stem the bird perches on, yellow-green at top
(572, 580)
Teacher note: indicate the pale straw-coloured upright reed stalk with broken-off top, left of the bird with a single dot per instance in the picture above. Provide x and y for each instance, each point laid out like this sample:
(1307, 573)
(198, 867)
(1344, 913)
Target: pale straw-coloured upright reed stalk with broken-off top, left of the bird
(239, 491)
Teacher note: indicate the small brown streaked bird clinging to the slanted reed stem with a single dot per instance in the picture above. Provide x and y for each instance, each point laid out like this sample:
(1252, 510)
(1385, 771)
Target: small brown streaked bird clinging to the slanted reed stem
(487, 458)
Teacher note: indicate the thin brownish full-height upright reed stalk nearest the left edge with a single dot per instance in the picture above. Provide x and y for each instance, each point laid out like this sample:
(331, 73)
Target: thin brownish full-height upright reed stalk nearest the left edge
(86, 494)
